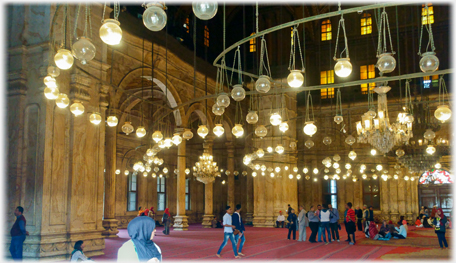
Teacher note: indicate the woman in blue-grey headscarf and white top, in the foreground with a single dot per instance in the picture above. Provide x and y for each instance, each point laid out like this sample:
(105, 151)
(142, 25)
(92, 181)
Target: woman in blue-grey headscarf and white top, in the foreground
(140, 247)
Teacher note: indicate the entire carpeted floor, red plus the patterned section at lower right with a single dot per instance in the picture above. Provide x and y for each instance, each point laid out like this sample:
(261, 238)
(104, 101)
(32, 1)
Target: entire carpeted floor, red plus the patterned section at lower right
(272, 244)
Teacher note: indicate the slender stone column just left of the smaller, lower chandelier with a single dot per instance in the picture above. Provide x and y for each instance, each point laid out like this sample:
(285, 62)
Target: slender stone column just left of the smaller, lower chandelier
(181, 220)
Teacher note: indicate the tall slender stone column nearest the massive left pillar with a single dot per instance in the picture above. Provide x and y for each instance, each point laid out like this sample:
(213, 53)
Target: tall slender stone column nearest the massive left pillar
(109, 221)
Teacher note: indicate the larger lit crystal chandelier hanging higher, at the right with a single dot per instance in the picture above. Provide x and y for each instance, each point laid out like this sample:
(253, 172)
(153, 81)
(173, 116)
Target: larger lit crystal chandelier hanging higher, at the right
(378, 131)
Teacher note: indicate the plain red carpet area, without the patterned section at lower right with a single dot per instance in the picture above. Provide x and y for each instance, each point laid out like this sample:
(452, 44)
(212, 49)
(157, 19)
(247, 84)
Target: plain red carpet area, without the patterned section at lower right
(261, 244)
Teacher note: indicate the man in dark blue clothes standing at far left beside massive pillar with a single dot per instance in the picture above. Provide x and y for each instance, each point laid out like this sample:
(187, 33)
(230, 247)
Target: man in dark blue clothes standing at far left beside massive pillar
(18, 234)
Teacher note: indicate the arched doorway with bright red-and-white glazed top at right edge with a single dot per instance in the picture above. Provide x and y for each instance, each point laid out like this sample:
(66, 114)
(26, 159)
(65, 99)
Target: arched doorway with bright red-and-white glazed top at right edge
(435, 188)
